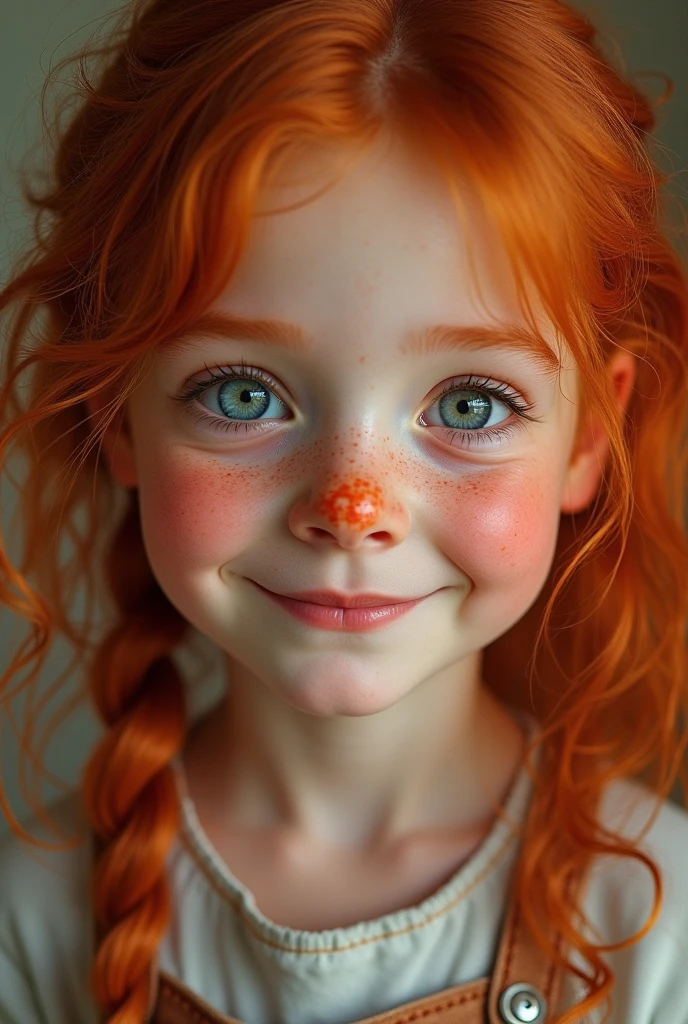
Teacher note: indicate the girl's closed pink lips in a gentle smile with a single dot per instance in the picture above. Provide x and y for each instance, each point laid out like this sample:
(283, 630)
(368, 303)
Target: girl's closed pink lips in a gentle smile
(337, 617)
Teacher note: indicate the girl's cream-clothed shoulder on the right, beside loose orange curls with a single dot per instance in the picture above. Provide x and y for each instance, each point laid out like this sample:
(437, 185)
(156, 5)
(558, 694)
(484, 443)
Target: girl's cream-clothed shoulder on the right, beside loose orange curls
(652, 975)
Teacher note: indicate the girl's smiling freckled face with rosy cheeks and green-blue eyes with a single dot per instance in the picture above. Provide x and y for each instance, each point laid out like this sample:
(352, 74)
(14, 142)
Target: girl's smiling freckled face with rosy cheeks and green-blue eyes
(341, 467)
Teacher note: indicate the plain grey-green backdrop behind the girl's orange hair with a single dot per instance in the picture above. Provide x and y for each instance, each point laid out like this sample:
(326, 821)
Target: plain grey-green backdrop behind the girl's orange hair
(640, 36)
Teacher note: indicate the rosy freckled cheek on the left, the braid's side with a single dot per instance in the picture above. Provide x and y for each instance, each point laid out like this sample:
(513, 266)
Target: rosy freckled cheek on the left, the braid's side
(196, 514)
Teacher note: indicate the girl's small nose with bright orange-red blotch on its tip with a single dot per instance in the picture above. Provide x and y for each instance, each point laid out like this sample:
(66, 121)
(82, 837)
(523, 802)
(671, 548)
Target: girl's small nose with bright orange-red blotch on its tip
(352, 511)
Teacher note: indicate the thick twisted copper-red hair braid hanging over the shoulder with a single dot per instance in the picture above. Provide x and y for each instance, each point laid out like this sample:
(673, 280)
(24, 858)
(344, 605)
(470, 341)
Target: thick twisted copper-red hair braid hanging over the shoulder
(128, 789)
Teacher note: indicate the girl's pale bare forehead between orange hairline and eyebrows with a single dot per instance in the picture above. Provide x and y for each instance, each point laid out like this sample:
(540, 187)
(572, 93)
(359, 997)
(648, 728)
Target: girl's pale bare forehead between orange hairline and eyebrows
(365, 225)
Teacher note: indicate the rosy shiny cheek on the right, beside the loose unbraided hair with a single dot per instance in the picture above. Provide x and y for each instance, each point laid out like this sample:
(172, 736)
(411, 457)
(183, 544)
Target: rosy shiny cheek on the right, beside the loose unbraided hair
(501, 527)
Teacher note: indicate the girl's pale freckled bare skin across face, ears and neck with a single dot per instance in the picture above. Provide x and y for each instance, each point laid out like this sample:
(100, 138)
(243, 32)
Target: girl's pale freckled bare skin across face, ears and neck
(381, 751)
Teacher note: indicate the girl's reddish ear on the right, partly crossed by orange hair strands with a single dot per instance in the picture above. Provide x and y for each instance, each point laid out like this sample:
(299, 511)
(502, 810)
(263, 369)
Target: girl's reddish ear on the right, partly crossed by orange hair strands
(590, 454)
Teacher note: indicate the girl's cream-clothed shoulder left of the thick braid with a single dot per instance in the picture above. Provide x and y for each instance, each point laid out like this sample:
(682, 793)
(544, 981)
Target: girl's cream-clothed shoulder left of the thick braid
(47, 936)
